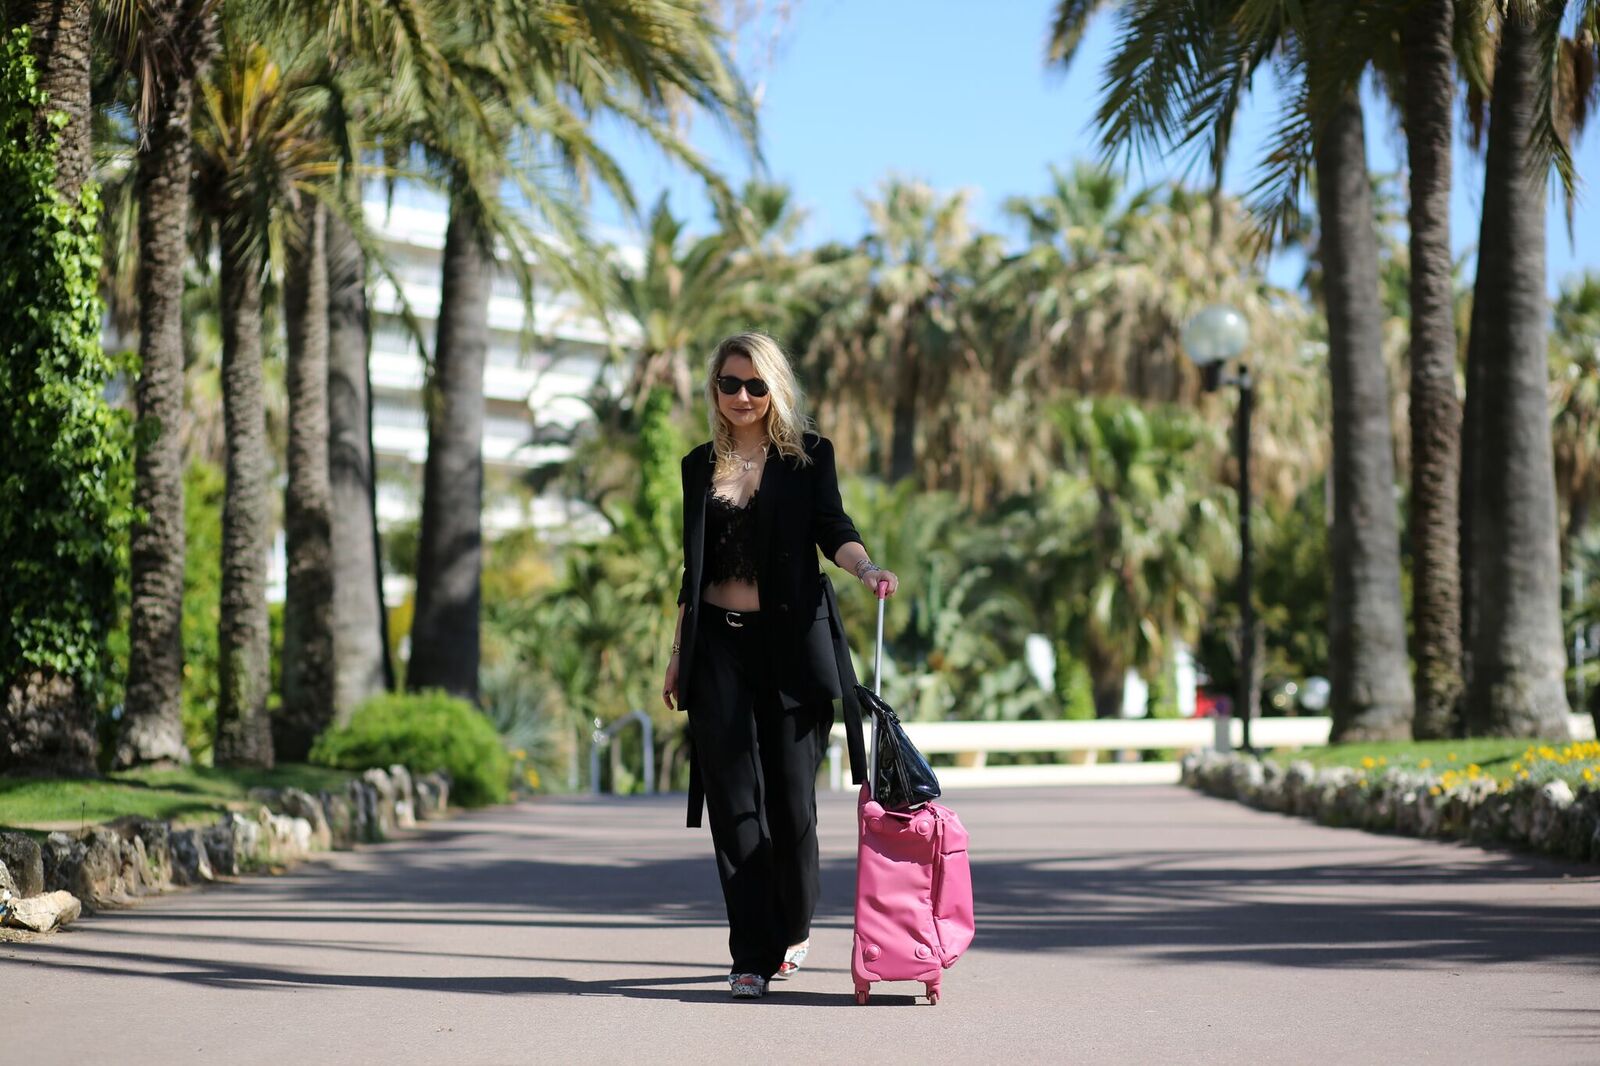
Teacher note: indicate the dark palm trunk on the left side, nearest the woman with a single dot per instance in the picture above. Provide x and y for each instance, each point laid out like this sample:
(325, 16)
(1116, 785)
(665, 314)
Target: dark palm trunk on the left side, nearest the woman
(449, 567)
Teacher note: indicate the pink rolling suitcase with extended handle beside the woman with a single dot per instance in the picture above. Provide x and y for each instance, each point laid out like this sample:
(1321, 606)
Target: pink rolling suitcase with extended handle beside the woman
(914, 886)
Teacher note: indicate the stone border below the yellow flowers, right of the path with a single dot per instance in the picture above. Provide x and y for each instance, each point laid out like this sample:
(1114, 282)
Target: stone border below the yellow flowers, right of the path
(1546, 817)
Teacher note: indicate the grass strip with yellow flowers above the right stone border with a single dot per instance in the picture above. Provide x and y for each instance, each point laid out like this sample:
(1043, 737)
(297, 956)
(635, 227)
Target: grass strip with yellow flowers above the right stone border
(1505, 759)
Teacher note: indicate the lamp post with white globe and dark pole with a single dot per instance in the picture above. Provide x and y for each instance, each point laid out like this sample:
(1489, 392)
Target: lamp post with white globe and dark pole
(1214, 339)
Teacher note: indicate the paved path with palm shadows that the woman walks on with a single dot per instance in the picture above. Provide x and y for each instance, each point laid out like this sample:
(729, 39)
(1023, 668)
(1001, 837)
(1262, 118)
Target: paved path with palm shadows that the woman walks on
(1116, 926)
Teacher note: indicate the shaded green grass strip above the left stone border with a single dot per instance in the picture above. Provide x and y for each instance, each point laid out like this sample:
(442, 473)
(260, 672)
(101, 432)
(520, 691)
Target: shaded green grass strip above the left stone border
(194, 795)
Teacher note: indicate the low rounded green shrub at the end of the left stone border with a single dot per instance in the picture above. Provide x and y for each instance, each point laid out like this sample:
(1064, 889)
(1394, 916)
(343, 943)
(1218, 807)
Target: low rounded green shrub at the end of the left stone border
(425, 732)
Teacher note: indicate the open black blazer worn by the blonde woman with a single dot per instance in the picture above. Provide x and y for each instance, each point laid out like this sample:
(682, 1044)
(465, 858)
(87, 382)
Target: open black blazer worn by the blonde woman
(798, 510)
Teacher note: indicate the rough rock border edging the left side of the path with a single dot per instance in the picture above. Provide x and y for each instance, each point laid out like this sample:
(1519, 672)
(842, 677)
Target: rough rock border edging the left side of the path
(44, 888)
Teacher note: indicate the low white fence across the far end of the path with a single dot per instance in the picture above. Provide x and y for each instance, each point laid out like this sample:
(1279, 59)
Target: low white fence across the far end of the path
(974, 743)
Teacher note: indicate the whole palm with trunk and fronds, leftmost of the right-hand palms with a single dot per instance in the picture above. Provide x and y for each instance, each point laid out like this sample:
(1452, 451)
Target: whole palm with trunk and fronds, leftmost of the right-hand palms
(1180, 74)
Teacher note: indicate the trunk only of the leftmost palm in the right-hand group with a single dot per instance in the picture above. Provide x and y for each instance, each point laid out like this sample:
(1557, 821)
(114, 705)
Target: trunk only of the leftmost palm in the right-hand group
(1372, 692)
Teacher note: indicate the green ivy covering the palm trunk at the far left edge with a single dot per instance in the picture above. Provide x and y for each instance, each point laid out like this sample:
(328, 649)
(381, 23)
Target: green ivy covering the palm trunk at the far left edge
(66, 467)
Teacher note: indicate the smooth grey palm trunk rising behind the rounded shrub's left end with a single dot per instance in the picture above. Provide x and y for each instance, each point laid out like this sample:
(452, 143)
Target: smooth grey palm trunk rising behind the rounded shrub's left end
(361, 630)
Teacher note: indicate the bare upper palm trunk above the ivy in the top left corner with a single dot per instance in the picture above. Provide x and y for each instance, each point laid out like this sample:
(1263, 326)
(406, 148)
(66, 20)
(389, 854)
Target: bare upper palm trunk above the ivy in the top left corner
(62, 46)
